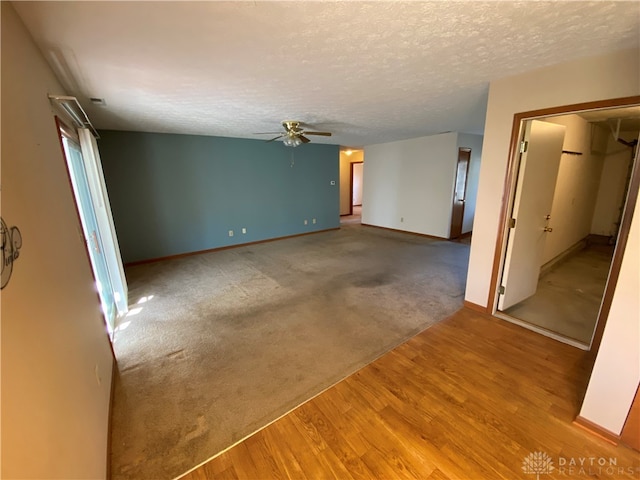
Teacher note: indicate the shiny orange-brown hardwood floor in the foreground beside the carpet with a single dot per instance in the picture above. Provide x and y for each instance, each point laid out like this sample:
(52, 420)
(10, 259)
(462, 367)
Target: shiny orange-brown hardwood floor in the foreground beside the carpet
(469, 398)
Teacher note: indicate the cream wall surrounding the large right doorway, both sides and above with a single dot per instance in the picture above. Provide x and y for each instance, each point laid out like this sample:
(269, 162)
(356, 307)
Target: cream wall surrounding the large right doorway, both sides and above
(589, 79)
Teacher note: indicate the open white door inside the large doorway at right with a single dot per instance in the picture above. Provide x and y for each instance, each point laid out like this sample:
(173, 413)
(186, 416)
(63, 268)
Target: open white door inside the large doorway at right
(532, 204)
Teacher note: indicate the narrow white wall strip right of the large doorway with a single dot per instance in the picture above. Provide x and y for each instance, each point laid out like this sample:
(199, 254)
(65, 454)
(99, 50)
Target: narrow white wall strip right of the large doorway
(616, 373)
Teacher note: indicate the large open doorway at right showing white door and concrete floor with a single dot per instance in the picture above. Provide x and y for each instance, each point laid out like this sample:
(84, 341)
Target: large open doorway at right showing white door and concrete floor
(571, 179)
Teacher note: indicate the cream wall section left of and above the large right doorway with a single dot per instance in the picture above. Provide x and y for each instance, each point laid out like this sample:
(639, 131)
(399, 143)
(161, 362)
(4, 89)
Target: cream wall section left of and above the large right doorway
(594, 78)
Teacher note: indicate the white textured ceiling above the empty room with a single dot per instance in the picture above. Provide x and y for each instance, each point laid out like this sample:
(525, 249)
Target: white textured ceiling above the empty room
(370, 72)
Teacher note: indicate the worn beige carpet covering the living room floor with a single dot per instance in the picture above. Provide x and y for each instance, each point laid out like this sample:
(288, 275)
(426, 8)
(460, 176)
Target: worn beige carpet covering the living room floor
(225, 342)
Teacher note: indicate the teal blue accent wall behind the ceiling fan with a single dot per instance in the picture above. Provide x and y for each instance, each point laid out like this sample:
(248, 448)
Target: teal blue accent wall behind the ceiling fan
(173, 194)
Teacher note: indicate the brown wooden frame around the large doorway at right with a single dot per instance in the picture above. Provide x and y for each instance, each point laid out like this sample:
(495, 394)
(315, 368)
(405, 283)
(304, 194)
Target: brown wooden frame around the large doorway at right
(509, 189)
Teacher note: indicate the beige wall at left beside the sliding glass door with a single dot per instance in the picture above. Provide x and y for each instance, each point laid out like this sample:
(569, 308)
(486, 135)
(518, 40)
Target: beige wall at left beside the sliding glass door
(54, 412)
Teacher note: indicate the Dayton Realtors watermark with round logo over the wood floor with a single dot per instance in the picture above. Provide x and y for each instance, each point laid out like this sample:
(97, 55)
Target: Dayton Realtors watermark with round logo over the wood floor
(540, 463)
